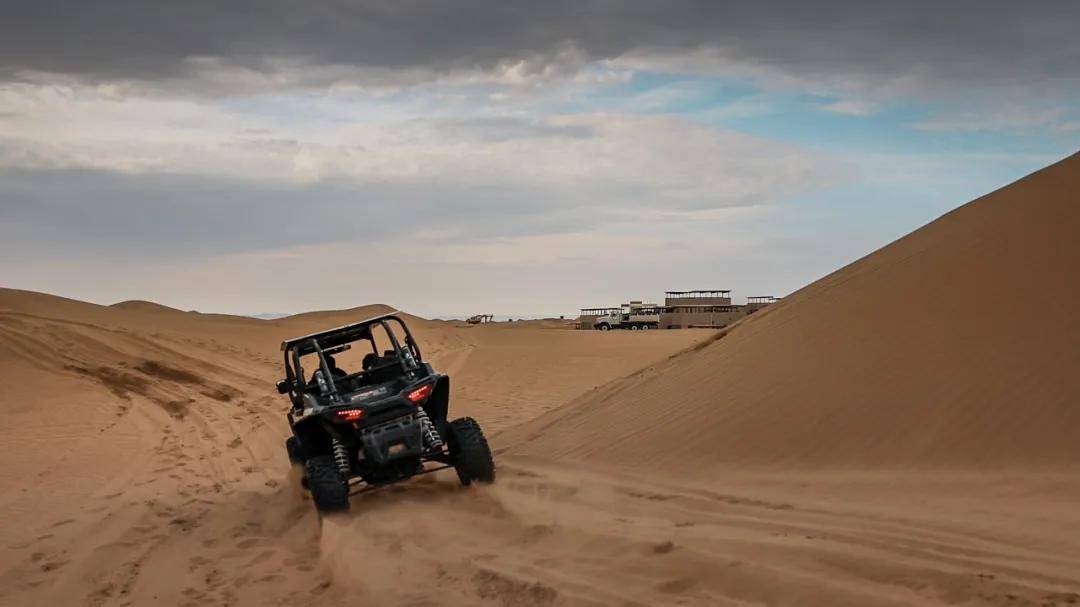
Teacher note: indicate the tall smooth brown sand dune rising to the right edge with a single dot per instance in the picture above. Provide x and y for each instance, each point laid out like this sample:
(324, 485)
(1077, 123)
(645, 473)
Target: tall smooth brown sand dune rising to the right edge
(956, 346)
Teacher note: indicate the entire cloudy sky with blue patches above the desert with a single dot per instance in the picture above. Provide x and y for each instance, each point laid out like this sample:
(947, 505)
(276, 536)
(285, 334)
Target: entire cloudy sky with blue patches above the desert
(512, 158)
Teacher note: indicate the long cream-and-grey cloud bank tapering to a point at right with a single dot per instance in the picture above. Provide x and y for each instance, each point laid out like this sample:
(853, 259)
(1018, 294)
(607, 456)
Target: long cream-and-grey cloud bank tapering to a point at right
(475, 181)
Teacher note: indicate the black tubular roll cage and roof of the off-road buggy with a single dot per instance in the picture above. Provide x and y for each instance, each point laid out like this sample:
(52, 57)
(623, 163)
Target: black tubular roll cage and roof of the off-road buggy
(333, 339)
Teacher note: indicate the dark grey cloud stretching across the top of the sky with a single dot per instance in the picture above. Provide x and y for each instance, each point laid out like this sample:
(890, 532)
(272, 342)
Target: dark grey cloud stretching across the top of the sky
(949, 44)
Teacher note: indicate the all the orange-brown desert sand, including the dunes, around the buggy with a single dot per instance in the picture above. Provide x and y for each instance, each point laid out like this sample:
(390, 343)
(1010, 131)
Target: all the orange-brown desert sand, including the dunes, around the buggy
(901, 433)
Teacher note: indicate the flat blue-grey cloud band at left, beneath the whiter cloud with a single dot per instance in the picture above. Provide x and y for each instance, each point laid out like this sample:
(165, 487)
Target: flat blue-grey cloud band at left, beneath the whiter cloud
(64, 213)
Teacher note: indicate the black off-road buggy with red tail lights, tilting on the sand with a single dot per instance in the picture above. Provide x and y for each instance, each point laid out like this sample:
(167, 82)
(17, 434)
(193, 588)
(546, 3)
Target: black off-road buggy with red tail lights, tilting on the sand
(380, 425)
